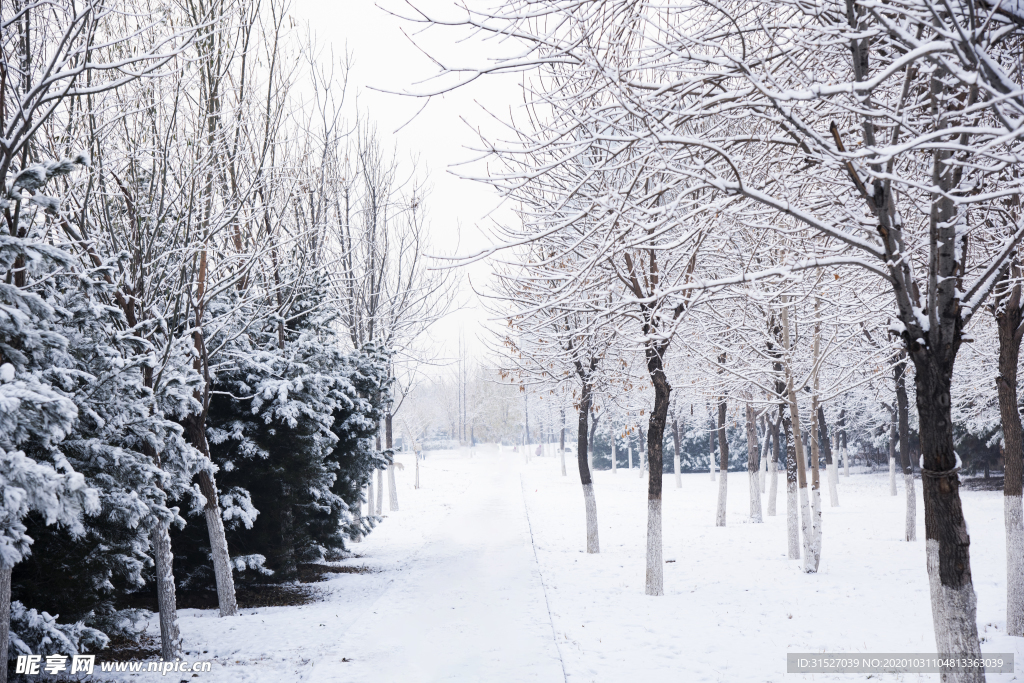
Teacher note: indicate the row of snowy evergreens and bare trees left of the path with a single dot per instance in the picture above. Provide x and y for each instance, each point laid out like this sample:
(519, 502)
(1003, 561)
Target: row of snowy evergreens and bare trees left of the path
(212, 298)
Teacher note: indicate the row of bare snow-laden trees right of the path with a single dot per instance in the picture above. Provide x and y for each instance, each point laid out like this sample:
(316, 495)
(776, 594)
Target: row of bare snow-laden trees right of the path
(778, 203)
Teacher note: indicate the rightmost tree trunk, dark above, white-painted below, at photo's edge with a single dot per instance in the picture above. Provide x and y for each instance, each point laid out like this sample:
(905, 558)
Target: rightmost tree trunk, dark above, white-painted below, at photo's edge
(1009, 320)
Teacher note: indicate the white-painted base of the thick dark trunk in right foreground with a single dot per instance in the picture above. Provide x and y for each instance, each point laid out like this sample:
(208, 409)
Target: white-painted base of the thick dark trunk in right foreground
(955, 613)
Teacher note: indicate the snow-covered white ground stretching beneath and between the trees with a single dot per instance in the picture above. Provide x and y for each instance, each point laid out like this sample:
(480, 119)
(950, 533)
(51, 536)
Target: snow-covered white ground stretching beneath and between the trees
(482, 577)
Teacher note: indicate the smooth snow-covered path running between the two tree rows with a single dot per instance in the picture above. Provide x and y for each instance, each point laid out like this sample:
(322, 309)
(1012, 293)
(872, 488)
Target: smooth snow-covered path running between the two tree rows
(471, 606)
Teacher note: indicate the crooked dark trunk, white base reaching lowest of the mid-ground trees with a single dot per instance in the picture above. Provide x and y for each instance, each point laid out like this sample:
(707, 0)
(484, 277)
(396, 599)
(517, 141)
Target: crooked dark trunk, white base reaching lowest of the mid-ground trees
(656, 439)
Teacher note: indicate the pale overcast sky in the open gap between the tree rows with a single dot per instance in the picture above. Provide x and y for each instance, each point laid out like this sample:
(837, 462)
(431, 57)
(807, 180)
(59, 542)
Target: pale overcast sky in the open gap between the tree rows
(441, 135)
